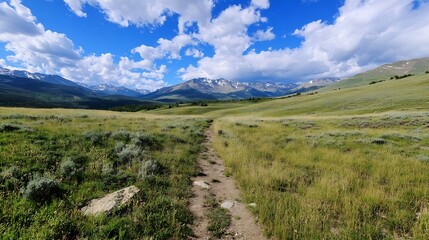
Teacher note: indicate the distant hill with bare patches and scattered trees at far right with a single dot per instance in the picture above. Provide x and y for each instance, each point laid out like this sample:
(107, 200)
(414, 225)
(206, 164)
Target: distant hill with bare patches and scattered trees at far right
(385, 72)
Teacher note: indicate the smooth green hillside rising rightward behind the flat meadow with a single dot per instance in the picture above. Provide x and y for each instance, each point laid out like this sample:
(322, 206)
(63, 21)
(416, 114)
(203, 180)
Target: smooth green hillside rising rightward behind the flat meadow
(408, 94)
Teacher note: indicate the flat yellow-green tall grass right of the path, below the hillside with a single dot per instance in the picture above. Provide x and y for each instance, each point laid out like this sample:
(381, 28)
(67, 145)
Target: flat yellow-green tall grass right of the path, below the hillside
(348, 178)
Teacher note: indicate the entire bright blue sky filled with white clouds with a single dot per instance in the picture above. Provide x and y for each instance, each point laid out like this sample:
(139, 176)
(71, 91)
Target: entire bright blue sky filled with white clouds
(150, 44)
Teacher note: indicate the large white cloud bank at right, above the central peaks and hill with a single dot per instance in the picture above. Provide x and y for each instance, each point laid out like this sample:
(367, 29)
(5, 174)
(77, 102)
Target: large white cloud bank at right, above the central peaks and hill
(366, 33)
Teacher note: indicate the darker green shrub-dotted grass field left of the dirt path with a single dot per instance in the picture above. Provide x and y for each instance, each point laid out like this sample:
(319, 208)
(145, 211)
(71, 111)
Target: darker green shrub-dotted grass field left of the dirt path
(53, 162)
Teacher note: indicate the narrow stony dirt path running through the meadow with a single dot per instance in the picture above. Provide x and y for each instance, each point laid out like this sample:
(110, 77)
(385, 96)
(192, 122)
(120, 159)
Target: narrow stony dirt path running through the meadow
(212, 180)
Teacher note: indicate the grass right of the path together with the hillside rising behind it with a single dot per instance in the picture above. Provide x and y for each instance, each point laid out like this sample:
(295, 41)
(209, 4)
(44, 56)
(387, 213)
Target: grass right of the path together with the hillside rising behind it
(345, 164)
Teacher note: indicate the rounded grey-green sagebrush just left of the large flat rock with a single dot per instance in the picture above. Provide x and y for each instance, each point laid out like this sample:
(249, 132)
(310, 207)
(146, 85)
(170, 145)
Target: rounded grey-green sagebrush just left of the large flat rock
(42, 189)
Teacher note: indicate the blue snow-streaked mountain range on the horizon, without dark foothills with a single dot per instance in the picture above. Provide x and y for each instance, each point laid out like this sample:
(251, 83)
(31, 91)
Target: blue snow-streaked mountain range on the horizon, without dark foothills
(195, 89)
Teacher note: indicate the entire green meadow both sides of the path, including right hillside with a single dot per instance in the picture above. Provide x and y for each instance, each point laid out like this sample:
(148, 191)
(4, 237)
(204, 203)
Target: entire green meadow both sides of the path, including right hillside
(342, 164)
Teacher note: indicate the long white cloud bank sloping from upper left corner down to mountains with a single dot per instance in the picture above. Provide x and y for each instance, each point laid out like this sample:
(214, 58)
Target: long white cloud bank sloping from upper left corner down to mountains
(38, 50)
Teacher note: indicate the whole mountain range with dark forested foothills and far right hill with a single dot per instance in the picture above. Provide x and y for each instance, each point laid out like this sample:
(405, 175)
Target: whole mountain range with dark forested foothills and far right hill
(22, 88)
